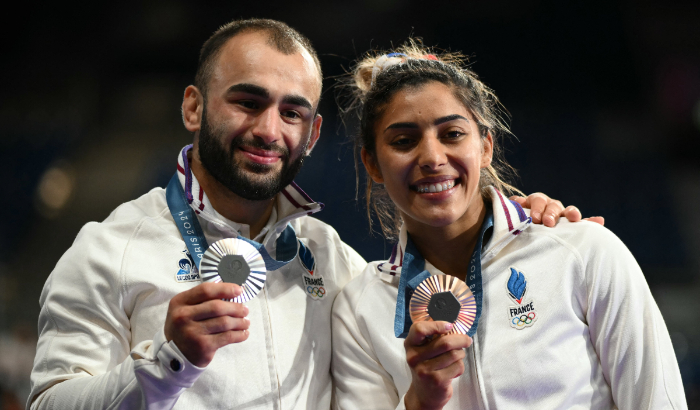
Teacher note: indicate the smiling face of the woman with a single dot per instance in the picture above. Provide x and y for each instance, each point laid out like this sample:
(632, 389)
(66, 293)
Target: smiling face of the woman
(429, 155)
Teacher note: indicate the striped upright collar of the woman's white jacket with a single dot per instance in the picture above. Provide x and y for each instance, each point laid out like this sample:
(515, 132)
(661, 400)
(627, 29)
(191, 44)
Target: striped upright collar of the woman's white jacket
(509, 220)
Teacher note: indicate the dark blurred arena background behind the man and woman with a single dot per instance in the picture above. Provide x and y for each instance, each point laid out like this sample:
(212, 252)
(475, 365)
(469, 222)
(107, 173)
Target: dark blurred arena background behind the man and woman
(604, 97)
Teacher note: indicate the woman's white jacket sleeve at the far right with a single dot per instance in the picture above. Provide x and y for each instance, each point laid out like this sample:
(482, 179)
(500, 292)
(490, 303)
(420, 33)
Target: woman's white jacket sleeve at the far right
(628, 331)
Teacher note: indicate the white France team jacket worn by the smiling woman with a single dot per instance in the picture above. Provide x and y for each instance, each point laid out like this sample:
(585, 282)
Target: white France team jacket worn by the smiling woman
(596, 340)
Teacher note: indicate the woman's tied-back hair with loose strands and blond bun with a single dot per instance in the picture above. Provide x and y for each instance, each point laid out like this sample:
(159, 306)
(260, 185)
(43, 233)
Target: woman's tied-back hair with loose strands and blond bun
(378, 76)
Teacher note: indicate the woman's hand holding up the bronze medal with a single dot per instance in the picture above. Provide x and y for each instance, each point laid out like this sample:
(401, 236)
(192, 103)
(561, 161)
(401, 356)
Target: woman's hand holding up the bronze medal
(434, 362)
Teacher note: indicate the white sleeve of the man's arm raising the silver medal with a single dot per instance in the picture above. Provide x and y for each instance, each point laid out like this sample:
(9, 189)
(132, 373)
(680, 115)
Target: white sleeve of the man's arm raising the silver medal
(84, 355)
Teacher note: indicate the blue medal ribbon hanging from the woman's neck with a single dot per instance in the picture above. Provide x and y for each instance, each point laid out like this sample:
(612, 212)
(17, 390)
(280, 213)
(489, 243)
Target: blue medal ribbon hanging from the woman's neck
(413, 273)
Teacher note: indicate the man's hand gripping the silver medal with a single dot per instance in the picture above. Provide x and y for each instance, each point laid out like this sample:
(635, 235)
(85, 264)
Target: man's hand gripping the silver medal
(200, 322)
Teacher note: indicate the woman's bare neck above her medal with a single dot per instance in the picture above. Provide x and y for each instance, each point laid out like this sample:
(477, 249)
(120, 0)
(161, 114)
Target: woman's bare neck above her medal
(449, 248)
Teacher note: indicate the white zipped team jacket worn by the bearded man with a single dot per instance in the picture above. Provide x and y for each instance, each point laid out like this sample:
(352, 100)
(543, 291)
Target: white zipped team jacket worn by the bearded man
(103, 309)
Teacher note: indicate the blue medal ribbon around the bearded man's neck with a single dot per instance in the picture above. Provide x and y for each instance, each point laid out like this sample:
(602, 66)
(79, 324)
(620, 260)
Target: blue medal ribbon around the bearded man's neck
(188, 225)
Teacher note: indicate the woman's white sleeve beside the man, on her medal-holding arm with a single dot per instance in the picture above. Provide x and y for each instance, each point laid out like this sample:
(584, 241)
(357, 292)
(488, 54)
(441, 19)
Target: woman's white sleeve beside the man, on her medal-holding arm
(360, 381)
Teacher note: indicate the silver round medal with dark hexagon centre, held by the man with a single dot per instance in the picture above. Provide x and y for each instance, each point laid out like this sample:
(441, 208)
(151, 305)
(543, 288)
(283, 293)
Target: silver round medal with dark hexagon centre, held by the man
(232, 260)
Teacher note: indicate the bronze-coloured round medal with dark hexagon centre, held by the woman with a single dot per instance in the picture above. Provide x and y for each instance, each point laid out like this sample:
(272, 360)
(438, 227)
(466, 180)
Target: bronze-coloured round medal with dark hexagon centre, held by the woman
(447, 298)
